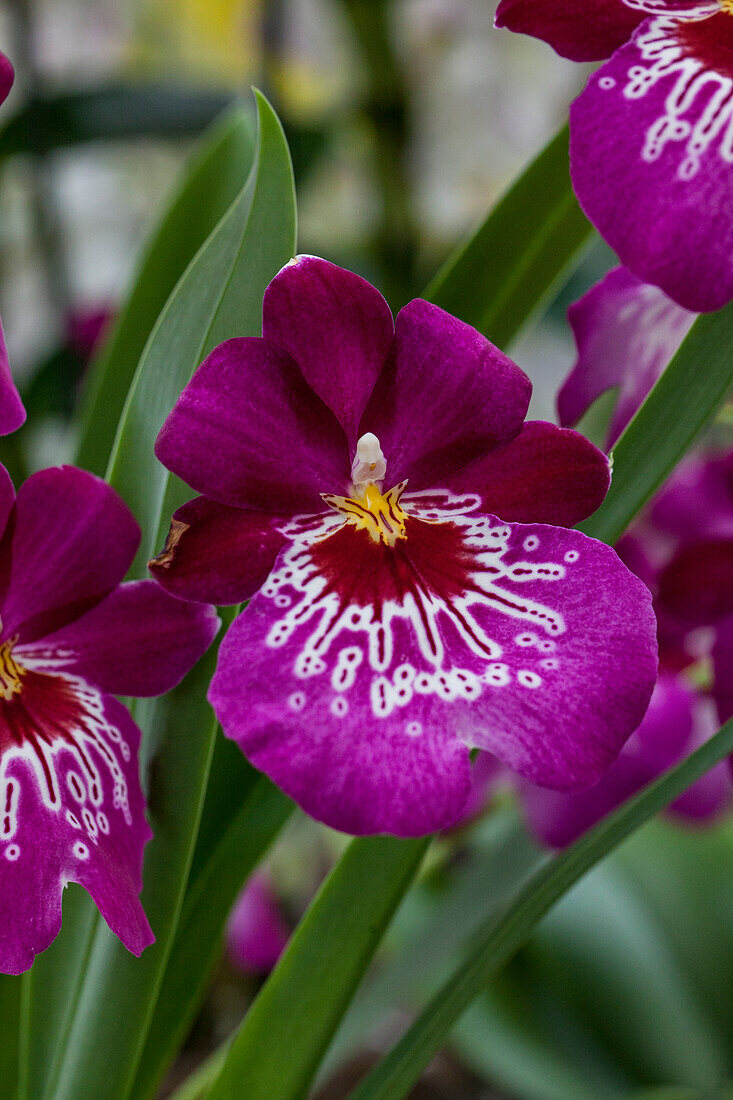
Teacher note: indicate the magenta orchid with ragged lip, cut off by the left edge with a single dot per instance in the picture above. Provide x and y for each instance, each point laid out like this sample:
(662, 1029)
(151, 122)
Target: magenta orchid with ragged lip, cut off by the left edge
(71, 639)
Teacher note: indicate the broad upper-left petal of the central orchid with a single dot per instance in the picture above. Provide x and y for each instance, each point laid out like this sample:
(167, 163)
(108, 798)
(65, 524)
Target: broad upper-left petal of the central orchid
(249, 432)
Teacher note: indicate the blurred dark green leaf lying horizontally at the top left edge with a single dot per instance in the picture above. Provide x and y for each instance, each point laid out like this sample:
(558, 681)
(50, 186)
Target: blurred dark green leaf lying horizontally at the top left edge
(114, 112)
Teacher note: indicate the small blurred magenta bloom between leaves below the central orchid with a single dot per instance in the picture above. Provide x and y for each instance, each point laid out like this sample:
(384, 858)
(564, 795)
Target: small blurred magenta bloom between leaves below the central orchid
(257, 933)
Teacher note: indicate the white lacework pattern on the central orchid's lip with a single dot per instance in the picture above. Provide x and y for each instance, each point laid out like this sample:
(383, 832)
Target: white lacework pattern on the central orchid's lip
(305, 597)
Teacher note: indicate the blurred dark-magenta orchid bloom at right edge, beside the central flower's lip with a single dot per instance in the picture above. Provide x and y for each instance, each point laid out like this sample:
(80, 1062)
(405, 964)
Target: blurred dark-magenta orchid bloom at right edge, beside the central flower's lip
(684, 551)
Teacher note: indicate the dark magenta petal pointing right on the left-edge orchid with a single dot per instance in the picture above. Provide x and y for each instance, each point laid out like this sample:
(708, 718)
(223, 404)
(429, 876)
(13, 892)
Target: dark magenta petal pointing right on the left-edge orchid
(138, 642)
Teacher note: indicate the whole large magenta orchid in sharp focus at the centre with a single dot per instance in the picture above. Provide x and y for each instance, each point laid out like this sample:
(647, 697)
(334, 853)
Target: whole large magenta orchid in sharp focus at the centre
(354, 470)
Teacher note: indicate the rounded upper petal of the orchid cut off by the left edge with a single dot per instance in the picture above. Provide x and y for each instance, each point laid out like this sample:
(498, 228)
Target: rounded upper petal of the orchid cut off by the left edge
(70, 541)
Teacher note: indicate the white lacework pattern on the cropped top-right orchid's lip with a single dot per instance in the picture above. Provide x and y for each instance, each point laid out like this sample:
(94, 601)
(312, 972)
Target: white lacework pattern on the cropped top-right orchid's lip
(665, 57)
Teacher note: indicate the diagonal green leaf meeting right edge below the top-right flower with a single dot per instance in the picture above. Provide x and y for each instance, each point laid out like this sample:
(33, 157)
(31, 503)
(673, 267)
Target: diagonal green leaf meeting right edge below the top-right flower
(684, 401)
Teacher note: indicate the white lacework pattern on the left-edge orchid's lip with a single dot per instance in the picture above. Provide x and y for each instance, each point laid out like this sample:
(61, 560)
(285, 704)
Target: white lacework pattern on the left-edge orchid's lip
(80, 794)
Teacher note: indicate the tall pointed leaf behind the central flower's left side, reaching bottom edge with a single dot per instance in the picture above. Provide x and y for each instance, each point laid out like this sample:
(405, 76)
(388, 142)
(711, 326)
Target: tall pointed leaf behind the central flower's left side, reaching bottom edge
(220, 296)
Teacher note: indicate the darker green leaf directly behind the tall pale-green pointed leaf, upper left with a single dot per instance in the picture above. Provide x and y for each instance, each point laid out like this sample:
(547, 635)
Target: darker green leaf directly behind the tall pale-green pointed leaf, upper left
(212, 184)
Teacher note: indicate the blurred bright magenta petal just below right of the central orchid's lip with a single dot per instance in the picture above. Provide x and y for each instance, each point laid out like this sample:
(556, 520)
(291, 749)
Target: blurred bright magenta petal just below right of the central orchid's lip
(662, 740)
